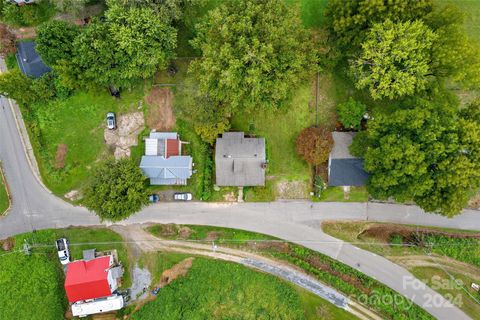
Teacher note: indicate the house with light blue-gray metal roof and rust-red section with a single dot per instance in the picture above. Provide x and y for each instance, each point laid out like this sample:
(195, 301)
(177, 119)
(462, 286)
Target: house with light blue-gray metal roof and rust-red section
(163, 162)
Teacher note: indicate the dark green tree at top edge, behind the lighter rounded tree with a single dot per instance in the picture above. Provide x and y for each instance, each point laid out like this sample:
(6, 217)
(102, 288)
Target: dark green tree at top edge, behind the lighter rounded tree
(350, 20)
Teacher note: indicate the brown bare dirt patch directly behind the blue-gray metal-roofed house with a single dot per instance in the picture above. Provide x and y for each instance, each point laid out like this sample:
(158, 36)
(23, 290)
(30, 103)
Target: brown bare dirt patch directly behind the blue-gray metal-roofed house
(160, 115)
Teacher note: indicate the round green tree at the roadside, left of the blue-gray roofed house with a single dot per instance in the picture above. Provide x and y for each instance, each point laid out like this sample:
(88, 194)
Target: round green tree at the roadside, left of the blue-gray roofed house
(117, 190)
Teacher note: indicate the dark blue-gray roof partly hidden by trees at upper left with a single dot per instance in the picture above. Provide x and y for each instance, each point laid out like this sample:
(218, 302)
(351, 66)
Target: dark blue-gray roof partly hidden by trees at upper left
(29, 61)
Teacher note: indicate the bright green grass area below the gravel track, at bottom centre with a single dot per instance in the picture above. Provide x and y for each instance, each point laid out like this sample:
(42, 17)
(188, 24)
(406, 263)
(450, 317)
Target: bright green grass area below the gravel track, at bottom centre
(222, 290)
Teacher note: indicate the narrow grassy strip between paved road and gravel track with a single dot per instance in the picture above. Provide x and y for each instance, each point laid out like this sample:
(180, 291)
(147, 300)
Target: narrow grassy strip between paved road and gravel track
(327, 270)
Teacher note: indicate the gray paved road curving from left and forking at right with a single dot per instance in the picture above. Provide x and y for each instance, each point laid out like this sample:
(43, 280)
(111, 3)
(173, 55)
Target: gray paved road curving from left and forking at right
(34, 208)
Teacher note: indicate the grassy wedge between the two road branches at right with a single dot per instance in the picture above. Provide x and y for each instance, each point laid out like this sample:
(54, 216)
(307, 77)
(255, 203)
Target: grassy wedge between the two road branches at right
(457, 257)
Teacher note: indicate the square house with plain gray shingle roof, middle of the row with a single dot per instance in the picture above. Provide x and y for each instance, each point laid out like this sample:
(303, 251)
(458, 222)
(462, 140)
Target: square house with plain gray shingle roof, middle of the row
(240, 161)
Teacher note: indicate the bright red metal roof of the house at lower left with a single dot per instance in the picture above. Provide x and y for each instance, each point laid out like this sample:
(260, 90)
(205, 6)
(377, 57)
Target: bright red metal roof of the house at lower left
(87, 279)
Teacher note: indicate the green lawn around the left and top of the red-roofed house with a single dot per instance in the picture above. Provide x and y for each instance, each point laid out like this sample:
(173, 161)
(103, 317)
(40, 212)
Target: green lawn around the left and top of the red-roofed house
(32, 285)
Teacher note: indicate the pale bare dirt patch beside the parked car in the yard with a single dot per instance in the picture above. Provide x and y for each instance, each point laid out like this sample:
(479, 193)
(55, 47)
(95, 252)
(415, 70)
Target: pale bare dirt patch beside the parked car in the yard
(129, 126)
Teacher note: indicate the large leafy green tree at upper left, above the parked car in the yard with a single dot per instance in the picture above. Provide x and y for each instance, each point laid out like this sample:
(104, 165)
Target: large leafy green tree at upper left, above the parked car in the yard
(132, 44)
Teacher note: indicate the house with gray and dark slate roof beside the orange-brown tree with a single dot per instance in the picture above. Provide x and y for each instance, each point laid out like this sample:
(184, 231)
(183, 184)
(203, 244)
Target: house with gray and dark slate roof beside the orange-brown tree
(344, 169)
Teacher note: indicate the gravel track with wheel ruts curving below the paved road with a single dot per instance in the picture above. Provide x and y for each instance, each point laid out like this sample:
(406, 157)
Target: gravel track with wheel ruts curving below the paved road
(141, 240)
